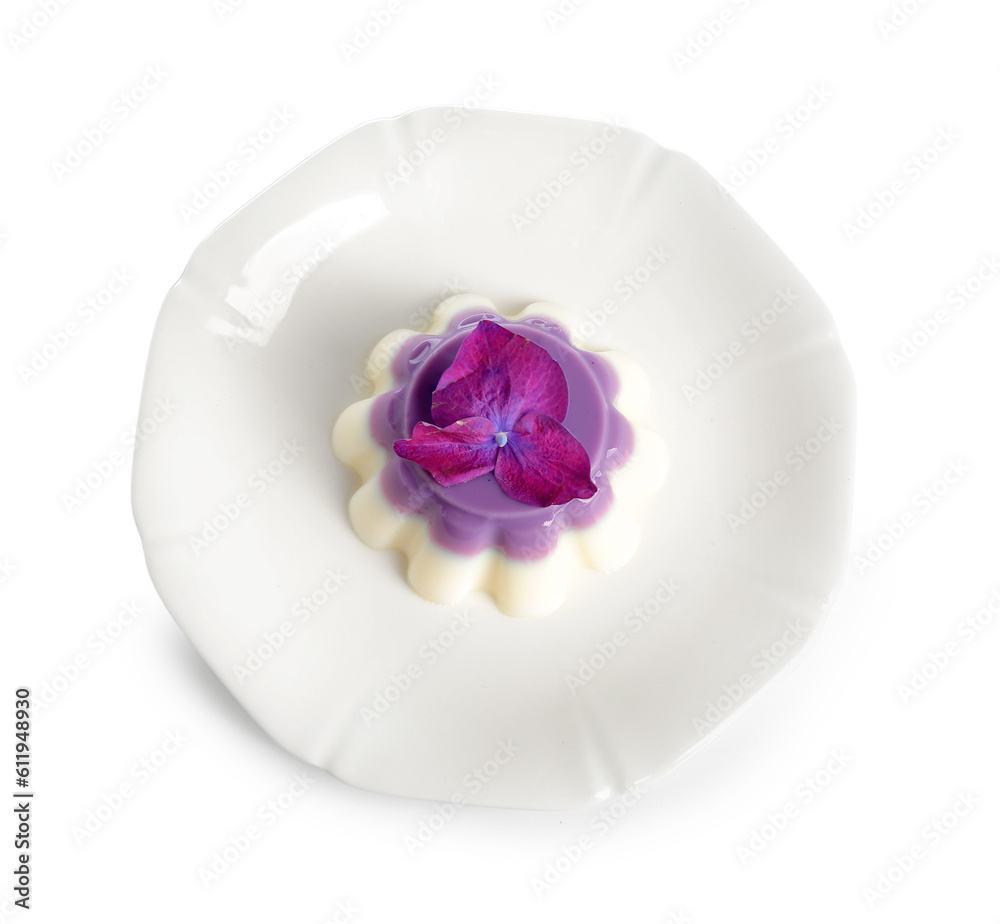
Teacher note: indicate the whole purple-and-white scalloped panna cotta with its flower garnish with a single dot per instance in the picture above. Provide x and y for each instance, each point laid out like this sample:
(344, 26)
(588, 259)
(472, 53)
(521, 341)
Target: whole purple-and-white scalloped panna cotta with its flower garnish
(500, 455)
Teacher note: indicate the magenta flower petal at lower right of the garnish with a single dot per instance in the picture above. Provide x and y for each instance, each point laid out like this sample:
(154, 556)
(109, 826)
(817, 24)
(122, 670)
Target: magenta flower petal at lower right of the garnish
(543, 463)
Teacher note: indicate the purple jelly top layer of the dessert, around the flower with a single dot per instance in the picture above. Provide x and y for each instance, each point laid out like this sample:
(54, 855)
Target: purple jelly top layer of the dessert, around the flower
(467, 518)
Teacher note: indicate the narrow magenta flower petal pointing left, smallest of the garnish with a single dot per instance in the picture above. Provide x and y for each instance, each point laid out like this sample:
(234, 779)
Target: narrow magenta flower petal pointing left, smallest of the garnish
(456, 454)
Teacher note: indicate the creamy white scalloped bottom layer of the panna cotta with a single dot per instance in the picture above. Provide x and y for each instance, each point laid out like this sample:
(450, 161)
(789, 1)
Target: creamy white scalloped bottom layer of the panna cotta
(519, 588)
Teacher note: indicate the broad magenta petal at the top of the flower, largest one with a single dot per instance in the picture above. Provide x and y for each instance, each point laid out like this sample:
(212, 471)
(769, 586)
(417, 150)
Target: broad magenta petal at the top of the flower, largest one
(499, 375)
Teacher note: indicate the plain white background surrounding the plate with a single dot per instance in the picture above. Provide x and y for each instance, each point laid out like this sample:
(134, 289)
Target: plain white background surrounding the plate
(683, 852)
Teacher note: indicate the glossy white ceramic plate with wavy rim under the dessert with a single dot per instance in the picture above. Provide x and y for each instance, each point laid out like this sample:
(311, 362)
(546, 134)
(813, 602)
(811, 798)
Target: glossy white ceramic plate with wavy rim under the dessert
(241, 503)
